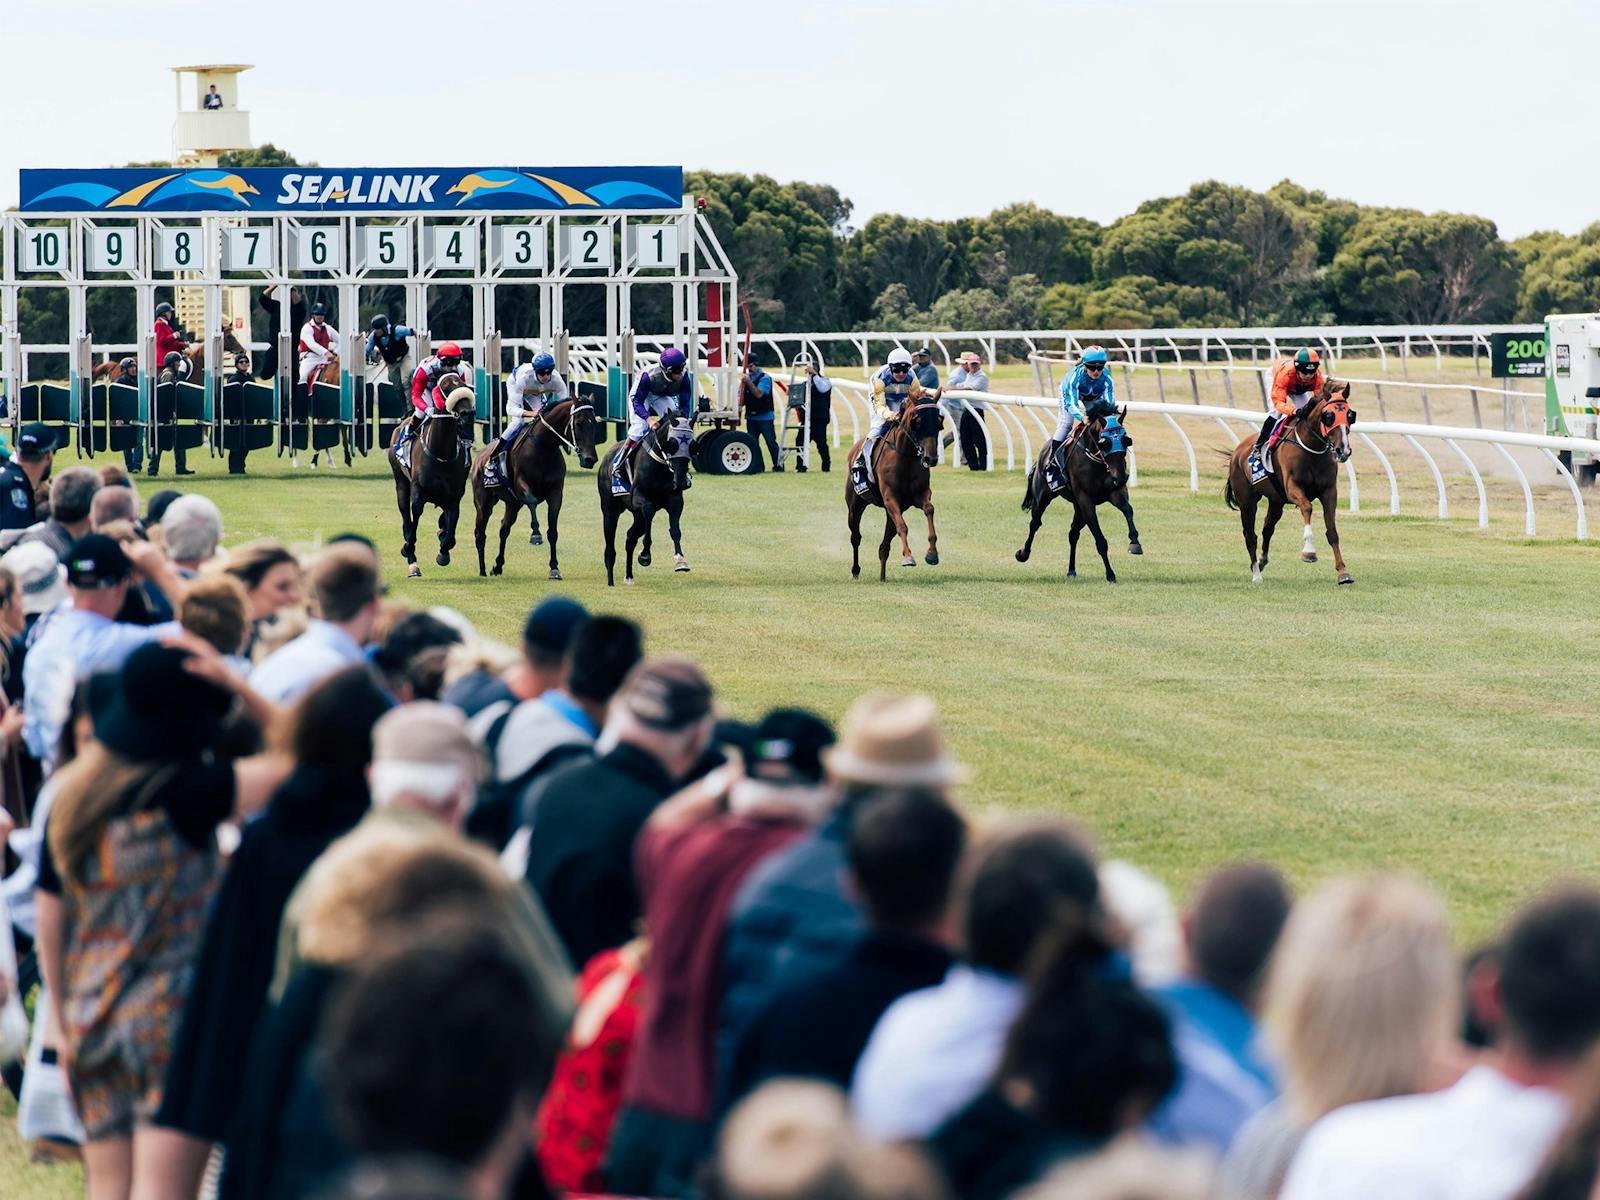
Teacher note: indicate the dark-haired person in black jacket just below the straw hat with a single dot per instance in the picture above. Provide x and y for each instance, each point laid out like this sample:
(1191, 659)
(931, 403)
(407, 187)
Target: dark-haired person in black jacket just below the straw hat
(903, 852)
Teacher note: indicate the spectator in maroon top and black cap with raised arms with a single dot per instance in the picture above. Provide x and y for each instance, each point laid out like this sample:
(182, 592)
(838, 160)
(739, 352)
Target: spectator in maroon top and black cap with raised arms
(690, 860)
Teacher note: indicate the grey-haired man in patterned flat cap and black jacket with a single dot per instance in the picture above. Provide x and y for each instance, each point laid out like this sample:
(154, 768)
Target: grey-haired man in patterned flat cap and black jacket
(588, 815)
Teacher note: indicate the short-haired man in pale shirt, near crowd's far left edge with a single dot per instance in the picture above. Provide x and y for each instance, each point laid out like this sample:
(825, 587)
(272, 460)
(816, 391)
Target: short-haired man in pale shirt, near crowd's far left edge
(348, 591)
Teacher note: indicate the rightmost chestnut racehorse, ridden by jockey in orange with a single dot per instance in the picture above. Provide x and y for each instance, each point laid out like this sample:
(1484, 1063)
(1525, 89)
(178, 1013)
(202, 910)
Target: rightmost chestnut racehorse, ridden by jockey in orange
(1308, 471)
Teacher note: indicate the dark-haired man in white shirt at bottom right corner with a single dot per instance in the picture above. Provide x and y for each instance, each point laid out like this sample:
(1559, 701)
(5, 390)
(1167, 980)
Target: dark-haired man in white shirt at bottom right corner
(1486, 1137)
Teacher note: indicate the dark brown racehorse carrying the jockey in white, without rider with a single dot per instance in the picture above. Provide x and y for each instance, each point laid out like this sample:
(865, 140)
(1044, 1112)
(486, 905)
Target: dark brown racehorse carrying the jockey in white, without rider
(535, 471)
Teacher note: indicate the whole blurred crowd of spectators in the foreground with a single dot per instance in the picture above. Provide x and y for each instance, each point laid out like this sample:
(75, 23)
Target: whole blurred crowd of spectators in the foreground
(318, 895)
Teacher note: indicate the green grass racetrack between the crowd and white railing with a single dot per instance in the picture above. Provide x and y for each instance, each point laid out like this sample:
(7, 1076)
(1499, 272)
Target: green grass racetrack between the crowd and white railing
(1436, 718)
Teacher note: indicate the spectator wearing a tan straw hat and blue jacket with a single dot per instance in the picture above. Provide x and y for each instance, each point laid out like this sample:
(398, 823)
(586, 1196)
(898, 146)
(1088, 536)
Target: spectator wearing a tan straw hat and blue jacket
(794, 918)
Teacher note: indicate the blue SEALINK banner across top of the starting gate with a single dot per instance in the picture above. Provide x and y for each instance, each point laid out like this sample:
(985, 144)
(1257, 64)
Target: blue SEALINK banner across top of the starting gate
(353, 190)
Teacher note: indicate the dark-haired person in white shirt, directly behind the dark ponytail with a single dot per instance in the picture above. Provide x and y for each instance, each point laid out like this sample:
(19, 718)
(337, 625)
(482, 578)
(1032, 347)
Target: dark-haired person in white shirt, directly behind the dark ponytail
(935, 1050)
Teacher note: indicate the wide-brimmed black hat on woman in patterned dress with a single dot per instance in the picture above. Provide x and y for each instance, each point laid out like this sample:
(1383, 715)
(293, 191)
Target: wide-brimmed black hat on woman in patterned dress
(162, 710)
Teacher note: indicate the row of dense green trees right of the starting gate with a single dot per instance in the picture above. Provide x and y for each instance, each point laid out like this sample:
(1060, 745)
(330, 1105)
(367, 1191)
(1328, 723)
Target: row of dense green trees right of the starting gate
(1215, 257)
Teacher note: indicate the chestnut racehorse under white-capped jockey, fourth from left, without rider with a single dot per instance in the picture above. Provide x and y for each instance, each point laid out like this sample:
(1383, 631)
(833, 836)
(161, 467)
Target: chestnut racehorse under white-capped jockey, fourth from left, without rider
(902, 479)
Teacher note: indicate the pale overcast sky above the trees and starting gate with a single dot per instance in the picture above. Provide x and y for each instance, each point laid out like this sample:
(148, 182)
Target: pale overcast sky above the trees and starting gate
(934, 110)
